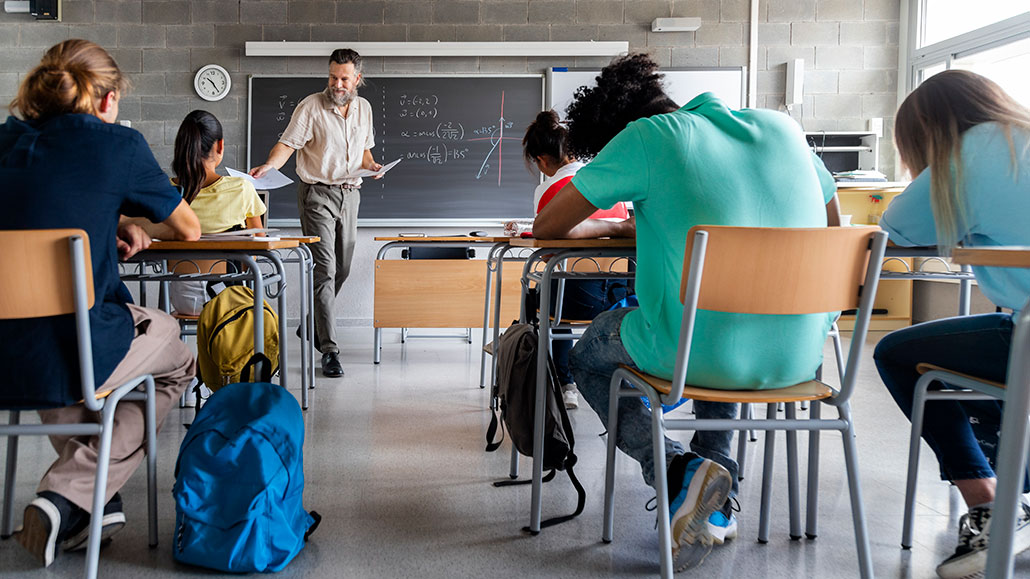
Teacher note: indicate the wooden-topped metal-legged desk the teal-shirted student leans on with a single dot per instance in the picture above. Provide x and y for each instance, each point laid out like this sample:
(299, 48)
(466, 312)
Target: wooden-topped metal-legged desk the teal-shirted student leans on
(550, 255)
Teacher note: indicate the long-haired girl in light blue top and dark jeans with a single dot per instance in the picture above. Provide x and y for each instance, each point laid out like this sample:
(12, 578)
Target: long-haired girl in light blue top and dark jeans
(969, 145)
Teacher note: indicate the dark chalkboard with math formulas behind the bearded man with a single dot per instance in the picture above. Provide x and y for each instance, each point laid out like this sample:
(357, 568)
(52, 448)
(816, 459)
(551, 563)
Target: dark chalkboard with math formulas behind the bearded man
(460, 139)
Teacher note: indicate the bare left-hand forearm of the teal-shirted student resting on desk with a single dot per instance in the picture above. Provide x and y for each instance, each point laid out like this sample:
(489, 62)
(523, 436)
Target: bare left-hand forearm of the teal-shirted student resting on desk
(566, 218)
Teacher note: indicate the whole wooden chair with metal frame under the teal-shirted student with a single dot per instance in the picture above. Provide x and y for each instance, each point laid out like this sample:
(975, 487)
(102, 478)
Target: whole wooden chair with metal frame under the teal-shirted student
(764, 271)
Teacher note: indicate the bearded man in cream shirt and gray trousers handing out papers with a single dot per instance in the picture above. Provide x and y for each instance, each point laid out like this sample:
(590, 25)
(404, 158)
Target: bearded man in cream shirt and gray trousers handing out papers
(332, 133)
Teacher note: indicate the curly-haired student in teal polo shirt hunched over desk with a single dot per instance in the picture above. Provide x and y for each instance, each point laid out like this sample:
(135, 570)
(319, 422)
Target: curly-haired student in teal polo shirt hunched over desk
(700, 164)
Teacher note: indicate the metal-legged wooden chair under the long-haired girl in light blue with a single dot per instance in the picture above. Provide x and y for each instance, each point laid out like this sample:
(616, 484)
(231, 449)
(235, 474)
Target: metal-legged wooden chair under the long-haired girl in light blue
(963, 387)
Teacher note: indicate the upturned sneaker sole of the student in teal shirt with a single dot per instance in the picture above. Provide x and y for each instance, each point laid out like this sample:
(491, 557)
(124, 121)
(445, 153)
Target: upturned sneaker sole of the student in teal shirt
(708, 492)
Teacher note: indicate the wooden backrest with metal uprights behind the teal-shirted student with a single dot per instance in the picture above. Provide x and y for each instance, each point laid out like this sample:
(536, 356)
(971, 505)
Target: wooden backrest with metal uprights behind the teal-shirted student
(780, 271)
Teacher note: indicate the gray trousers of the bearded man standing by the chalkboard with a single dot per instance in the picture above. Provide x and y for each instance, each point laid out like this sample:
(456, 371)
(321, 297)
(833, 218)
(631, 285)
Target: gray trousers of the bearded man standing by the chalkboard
(330, 213)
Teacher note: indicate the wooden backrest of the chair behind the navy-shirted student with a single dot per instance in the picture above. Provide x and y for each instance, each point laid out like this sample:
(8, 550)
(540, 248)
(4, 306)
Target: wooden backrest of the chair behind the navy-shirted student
(37, 273)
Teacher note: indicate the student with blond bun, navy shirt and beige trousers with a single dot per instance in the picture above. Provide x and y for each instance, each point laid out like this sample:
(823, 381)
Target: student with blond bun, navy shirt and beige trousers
(65, 164)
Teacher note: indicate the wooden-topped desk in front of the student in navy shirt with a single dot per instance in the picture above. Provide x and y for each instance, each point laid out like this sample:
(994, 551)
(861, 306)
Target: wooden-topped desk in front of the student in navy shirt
(245, 252)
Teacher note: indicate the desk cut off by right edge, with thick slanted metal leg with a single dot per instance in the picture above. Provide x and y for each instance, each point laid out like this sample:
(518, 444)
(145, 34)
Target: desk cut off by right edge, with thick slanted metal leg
(1013, 444)
